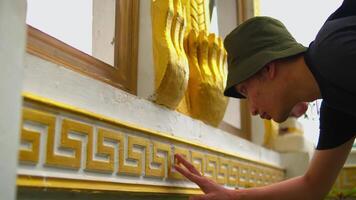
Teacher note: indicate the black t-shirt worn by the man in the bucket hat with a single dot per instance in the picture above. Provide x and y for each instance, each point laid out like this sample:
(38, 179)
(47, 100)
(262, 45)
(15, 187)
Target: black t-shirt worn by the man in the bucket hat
(331, 58)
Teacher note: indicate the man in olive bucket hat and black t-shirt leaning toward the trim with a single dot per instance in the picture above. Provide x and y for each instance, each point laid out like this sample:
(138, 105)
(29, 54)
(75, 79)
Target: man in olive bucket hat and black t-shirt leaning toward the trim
(274, 73)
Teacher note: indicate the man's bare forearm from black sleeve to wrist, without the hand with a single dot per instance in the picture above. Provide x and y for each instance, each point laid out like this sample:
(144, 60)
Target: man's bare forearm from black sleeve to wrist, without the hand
(315, 184)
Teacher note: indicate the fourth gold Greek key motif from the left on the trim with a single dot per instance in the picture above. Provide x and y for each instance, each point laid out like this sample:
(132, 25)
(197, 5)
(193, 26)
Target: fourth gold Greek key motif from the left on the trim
(132, 155)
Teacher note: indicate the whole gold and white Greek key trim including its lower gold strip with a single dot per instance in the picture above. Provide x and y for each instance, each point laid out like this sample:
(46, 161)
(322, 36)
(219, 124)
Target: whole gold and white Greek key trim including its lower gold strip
(100, 153)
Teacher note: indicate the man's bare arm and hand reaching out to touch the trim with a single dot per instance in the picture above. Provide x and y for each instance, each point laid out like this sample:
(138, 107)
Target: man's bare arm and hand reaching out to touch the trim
(314, 185)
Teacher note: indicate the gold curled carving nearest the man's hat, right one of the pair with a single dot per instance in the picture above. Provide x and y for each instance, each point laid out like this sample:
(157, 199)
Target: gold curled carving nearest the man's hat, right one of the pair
(208, 72)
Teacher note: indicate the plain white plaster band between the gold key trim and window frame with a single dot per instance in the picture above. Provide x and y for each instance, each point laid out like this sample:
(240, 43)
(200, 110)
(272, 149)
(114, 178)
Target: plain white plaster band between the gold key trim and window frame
(61, 84)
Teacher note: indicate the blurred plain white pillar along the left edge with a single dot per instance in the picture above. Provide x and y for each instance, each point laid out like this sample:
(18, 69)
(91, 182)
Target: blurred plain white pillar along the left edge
(12, 46)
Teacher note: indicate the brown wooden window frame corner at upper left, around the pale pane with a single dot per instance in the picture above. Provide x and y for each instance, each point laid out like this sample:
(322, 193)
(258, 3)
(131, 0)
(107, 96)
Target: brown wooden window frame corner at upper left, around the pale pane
(122, 75)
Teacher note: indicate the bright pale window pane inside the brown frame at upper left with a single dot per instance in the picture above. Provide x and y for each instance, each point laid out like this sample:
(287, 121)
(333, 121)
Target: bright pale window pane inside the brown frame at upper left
(87, 25)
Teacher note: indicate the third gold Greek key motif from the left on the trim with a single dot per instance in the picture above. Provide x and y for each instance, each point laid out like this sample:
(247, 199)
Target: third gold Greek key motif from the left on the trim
(103, 150)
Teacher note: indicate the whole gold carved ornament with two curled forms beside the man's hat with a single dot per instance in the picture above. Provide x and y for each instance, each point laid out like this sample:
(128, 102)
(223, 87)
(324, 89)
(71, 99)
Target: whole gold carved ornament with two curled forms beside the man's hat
(204, 52)
